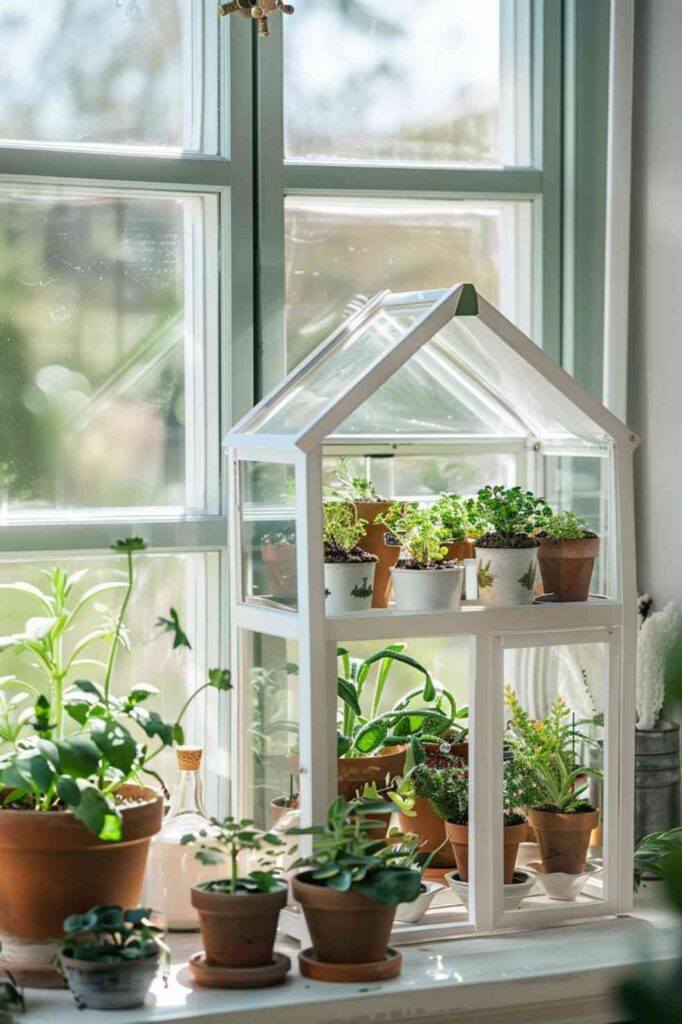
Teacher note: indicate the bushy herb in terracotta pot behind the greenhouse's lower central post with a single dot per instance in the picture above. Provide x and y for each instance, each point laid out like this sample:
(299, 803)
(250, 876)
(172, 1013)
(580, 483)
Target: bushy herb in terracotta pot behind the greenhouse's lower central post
(448, 792)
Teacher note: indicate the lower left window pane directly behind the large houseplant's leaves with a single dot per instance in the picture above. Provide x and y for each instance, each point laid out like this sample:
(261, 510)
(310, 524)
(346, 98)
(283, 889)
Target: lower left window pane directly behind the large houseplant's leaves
(161, 582)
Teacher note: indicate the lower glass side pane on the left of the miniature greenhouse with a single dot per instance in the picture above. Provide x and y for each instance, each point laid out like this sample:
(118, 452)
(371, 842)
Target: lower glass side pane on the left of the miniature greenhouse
(269, 783)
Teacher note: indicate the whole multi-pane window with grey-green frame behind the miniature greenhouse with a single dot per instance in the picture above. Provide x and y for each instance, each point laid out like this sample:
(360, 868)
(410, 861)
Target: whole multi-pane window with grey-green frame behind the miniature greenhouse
(187, 211)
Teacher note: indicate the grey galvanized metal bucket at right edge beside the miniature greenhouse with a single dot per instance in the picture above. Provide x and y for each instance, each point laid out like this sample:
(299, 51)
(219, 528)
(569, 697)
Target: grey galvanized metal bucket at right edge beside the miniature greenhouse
(657, 779)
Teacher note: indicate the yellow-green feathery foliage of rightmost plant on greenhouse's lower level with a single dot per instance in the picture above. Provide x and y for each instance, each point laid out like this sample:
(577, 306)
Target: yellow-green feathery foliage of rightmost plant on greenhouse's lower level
(549, 749)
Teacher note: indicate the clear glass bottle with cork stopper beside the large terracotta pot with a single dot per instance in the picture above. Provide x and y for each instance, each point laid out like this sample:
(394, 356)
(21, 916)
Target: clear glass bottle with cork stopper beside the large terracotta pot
(173, 869)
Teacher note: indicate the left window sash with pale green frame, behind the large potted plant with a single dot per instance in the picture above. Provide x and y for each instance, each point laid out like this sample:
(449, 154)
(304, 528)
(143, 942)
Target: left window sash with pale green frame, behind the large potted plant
(117, 228)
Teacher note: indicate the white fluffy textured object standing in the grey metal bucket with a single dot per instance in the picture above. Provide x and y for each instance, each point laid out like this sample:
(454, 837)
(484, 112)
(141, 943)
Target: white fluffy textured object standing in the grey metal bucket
(655, 643)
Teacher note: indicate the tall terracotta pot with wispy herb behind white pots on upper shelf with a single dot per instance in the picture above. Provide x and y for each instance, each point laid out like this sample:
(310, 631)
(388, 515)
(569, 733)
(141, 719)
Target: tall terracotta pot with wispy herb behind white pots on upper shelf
(362, 494)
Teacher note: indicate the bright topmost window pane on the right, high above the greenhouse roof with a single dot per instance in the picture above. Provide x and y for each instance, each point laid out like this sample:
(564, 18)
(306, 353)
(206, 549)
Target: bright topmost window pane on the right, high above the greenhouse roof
(437, 83)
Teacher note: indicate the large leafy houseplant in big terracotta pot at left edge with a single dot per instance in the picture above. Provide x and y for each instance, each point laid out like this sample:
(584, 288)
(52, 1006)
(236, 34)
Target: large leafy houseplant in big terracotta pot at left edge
(75, 762)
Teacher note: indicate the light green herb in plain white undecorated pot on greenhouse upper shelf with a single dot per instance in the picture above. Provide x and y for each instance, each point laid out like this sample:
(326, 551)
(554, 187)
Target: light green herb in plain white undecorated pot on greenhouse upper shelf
(423, 579)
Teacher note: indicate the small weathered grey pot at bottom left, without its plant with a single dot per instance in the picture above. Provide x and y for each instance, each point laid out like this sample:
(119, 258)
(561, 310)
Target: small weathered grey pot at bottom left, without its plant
(110, 987)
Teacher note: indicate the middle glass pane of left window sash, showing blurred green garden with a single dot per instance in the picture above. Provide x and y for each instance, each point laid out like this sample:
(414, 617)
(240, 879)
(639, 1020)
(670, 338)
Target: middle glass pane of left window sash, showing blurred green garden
(99, 351)
